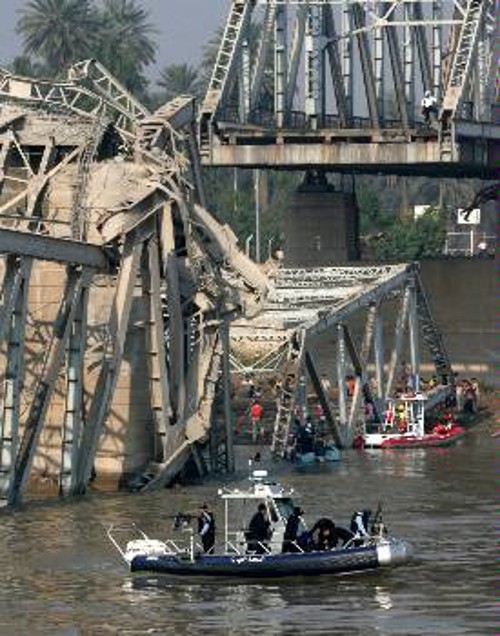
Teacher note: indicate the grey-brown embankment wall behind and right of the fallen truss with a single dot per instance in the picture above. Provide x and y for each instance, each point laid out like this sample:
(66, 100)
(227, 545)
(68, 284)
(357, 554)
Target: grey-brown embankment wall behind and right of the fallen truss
(465, 300)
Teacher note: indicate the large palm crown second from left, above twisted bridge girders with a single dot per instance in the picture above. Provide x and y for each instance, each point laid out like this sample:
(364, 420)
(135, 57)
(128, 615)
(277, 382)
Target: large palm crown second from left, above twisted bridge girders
(126, 44)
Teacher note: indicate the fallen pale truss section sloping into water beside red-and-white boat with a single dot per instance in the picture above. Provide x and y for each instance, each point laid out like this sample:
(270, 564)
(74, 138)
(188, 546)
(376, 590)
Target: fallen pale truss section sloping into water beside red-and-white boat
(376, 317)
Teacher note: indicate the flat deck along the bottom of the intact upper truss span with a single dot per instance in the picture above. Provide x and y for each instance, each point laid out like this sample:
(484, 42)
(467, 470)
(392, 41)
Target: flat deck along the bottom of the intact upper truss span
(416, 151)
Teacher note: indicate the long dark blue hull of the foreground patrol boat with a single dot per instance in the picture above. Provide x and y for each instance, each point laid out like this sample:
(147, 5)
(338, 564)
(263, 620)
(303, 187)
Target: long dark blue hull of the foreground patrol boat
(339, 561)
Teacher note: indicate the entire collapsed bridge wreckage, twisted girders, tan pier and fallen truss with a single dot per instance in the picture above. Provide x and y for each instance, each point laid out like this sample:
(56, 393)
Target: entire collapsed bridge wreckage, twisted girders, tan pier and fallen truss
(119, 287)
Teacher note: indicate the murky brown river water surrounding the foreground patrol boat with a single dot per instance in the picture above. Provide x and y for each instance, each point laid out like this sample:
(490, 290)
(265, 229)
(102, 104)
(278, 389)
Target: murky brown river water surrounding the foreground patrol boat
(61, 576)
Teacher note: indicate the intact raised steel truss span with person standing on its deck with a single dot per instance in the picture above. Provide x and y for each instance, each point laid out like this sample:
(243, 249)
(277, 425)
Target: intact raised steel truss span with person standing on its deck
(337, 84)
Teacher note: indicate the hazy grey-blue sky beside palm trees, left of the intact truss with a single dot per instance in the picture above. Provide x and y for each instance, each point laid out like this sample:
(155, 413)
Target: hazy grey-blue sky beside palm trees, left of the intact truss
(184, 26)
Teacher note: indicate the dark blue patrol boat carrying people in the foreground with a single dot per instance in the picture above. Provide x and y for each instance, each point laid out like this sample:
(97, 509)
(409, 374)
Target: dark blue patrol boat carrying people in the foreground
(283, 551)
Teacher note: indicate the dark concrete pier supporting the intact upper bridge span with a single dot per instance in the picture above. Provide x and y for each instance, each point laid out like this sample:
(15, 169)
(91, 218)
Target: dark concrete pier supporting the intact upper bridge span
(322, 226)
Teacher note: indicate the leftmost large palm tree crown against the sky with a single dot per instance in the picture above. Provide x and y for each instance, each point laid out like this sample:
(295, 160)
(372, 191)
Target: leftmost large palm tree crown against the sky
(58, 31)
